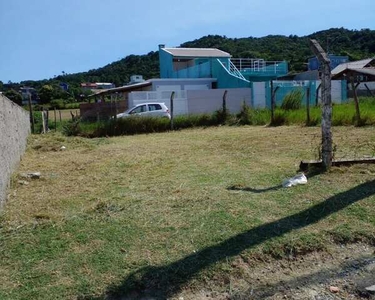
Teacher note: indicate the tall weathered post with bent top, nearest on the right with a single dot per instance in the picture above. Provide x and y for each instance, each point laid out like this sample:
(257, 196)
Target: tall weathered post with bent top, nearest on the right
(326, 103)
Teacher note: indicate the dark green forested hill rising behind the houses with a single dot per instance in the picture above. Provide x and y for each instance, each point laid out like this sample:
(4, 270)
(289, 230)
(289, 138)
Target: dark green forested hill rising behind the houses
(357, 44)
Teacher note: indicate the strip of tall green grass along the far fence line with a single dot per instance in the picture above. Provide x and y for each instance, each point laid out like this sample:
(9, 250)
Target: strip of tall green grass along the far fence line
(342, 115)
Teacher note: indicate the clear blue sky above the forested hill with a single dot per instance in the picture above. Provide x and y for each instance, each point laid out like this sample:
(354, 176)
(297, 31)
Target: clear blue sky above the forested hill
(43, 38)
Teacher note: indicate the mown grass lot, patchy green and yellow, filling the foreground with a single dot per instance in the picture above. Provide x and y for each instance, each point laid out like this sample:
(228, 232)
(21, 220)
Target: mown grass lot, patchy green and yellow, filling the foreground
(172, 211)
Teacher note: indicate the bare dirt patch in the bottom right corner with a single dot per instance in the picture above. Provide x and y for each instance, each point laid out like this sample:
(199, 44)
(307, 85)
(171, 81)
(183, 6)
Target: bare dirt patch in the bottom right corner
(343, 272)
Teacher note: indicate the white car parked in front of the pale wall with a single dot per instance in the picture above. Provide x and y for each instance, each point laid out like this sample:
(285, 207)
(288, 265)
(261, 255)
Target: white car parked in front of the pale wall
(152, 109)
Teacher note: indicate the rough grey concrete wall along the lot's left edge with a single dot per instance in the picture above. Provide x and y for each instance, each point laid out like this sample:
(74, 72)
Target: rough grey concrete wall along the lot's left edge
(14, 129)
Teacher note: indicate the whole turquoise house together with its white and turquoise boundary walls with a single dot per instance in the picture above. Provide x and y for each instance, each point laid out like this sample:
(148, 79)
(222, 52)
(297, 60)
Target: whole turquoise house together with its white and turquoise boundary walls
(199, 78)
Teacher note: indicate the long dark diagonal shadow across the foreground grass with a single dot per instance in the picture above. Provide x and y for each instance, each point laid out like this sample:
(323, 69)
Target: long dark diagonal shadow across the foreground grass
(163, 282)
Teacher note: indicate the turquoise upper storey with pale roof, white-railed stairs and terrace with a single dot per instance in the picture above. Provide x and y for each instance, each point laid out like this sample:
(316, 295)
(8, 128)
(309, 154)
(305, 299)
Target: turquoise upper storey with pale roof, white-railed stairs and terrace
(214, 63)
